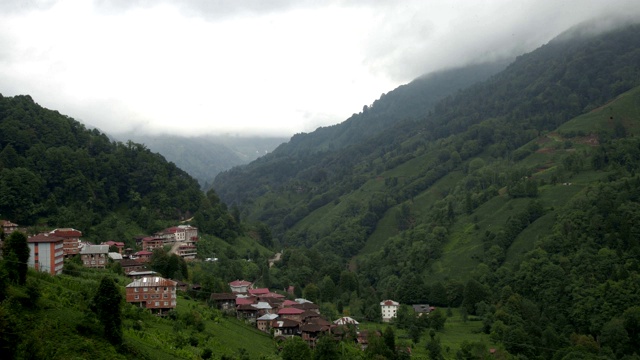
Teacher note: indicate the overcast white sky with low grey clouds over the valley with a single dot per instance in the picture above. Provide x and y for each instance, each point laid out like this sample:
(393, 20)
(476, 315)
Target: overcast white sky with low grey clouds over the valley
(255, 67)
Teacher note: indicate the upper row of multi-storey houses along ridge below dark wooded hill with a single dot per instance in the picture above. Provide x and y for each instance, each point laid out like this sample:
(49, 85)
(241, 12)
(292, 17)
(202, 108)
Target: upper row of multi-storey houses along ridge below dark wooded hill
(49, 249)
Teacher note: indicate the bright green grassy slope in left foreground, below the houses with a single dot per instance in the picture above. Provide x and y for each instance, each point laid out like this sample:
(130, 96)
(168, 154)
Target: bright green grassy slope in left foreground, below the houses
(64, 307)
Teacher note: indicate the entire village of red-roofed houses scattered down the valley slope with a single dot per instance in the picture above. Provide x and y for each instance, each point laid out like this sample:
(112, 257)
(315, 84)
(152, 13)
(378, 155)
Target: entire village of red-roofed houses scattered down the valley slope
(271, 312)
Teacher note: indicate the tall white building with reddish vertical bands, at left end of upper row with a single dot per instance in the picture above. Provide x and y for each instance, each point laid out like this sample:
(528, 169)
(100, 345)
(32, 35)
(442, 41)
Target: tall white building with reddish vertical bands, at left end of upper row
(46, 253)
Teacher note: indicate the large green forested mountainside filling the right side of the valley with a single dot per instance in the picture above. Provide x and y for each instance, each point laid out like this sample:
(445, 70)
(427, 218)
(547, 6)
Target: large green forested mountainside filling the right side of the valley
(515, 198)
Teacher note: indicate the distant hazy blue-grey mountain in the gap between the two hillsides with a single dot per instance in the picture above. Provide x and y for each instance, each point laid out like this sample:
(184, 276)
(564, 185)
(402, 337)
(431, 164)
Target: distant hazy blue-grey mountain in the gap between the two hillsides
(203, 157)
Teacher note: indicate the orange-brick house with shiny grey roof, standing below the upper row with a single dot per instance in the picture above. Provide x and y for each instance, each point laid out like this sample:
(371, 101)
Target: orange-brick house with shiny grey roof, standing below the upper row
(154, 293)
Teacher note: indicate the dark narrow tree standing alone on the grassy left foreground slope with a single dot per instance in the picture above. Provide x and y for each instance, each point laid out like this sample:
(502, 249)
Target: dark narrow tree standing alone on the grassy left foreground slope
(107, 304)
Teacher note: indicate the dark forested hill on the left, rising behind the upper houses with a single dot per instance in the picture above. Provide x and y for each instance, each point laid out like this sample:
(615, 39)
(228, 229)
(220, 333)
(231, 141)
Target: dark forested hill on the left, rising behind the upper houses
(56, 173)
